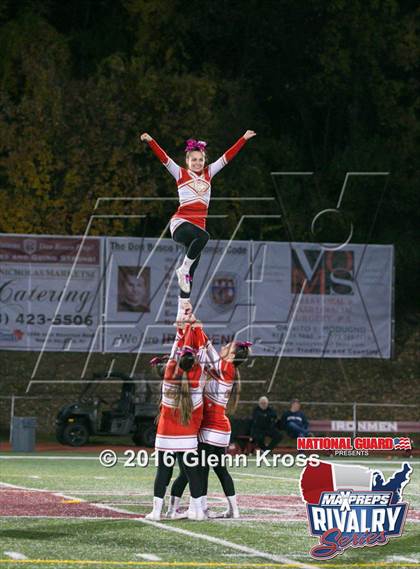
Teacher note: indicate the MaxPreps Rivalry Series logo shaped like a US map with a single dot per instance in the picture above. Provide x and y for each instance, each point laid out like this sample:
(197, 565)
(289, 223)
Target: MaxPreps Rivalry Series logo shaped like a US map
(352, 506)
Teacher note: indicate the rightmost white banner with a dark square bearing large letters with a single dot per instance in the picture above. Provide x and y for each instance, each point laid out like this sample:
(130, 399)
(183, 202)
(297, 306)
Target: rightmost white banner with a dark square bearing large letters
(314, 301)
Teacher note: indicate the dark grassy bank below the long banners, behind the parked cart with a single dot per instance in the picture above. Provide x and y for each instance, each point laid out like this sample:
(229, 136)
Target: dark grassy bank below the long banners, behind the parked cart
(361, 380)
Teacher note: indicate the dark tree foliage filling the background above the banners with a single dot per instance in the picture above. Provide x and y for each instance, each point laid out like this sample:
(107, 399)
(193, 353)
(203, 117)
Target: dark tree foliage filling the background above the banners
(330, 87)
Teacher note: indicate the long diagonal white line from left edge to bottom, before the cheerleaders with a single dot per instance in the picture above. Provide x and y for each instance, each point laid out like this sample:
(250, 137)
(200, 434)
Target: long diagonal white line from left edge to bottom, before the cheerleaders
(185, 532)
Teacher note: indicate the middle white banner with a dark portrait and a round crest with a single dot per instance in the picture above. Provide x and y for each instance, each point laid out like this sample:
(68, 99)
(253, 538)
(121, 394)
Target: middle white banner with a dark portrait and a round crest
(141, 297)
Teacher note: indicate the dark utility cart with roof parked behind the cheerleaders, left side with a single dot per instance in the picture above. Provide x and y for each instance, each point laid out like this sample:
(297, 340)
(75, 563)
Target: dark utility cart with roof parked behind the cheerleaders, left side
(98, 412)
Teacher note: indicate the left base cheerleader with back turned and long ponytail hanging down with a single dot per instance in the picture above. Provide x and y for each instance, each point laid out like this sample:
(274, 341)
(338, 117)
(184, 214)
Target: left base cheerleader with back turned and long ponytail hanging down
(181, 412)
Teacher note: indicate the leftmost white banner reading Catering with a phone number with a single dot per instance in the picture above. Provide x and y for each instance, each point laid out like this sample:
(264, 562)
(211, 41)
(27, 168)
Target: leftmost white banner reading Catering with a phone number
(50, 293)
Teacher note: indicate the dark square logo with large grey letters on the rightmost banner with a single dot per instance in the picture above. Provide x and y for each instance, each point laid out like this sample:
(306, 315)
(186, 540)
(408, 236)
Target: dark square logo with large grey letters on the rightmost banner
(316, 271)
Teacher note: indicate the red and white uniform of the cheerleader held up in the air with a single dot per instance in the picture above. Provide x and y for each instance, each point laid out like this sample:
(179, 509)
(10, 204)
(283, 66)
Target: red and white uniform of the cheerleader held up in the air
(194, 190)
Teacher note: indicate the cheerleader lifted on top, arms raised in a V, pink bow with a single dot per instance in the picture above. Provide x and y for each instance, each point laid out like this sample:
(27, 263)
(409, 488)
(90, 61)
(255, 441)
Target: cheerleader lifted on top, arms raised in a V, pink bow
(188, 224)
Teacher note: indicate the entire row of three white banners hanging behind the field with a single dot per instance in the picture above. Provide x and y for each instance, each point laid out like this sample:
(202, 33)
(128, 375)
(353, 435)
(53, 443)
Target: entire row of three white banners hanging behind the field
(289, 299)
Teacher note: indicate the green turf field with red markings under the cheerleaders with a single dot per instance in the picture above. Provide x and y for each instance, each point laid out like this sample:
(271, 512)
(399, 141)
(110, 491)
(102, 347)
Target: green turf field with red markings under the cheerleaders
(273, 531)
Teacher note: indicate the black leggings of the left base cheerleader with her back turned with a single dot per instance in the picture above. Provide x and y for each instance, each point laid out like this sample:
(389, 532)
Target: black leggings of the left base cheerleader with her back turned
(164, 474)
